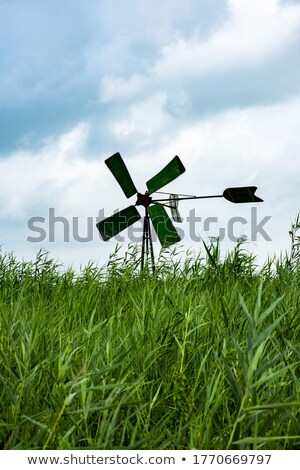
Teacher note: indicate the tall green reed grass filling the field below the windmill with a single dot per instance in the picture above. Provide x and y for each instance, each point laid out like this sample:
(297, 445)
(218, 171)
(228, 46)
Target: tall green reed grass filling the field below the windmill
(204, 354)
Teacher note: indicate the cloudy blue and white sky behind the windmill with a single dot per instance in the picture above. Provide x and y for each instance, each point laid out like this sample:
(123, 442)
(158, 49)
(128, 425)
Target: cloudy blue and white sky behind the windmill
(216, 82)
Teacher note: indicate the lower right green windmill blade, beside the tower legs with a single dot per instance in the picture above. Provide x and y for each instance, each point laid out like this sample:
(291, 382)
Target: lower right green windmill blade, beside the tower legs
(163, 226)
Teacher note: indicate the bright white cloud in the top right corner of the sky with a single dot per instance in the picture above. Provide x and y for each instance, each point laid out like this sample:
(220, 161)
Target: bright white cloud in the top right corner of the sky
(253, 33)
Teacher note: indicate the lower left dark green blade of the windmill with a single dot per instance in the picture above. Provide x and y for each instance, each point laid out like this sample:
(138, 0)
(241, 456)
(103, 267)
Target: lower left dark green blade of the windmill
(113, 225)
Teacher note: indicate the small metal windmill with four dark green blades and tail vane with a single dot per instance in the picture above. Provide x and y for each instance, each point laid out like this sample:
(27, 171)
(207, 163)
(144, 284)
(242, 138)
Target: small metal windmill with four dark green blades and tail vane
(154, 208)
